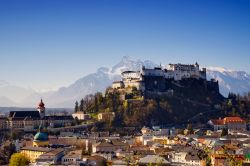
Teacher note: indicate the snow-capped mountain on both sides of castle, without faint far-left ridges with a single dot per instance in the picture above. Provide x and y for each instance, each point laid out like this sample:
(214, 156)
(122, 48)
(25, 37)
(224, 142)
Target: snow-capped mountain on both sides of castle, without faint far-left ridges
(229, 81)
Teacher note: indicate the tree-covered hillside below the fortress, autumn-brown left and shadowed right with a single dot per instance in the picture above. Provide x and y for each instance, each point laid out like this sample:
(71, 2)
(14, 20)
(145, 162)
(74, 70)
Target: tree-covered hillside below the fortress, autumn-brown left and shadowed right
(191, 101)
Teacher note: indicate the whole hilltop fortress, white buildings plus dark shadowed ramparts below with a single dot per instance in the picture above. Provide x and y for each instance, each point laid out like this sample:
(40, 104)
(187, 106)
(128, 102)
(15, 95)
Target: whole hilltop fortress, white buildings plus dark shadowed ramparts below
(161, 79)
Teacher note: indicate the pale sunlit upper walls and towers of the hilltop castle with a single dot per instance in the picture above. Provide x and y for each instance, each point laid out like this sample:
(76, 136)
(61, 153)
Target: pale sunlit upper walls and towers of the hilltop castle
(172, 71)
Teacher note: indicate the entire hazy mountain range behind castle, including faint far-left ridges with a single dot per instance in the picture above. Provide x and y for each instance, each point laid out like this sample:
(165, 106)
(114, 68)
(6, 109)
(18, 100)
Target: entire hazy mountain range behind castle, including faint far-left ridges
(10, 95)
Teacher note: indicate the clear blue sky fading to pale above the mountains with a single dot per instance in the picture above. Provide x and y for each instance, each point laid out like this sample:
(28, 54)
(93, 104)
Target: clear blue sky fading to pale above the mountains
(45, 44)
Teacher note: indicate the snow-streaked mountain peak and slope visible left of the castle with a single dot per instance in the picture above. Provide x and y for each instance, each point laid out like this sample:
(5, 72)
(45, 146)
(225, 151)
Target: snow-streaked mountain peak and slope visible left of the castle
(95, 82)
